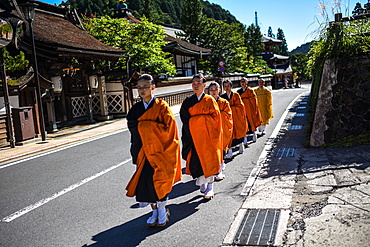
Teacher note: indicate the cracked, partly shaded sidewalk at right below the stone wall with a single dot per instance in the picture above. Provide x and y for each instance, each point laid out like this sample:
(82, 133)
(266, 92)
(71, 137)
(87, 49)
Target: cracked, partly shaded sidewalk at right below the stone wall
(322, 194)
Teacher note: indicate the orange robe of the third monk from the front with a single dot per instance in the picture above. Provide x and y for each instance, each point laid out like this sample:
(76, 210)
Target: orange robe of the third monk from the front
(227, 121)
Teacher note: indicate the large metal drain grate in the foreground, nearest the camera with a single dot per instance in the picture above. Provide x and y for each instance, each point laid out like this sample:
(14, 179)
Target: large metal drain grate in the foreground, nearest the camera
(258, 227)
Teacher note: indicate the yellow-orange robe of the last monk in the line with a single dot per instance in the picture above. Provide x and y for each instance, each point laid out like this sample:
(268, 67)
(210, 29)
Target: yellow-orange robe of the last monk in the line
(265, 104)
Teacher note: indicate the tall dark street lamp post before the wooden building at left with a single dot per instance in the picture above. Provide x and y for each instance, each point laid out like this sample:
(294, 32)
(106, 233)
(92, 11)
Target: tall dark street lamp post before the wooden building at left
(29, 13)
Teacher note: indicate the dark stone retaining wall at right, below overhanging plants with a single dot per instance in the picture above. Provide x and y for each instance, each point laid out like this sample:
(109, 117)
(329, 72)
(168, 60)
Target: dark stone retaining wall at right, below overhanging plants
(343, 102)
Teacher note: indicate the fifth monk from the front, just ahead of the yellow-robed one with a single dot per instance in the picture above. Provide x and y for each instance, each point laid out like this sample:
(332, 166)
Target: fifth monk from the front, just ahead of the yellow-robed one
(252, 111)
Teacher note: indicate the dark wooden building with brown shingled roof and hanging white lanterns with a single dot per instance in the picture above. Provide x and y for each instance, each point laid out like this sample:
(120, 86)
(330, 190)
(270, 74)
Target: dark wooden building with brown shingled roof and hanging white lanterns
(73, 89)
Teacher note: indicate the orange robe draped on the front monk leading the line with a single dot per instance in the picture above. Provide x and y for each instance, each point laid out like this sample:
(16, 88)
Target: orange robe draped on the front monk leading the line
(160, 146)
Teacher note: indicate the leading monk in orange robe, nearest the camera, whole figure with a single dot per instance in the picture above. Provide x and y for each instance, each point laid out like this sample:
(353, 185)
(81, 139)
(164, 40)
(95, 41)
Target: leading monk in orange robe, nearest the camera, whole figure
(155, 150)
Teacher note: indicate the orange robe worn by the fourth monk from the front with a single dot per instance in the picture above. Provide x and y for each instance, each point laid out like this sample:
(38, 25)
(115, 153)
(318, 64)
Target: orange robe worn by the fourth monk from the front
(240, 126)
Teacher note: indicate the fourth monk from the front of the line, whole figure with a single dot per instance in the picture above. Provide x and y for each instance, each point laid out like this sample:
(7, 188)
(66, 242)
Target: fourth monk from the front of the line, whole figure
(240, 126)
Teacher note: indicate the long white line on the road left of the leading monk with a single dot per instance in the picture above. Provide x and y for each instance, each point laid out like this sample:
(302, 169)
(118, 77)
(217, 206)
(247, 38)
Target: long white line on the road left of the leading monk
(56, 195)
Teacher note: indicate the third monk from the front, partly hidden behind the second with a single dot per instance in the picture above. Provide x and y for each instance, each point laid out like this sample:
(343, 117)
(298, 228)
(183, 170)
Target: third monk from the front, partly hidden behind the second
(227, 122)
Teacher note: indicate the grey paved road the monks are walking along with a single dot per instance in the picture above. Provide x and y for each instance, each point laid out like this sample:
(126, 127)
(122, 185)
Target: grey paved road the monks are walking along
(76, 197)
